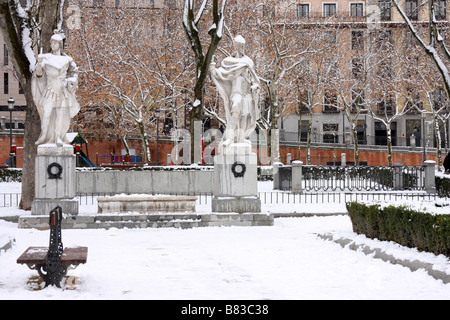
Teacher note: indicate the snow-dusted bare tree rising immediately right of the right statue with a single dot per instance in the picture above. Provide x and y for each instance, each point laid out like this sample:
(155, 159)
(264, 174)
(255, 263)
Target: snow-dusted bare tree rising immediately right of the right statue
(276, 44)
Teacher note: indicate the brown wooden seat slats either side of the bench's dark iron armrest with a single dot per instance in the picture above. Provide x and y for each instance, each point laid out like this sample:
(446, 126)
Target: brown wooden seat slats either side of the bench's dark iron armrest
(36, 255)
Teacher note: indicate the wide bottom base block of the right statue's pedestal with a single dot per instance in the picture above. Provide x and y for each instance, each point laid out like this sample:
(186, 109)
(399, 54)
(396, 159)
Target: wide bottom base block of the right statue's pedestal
(235, 204)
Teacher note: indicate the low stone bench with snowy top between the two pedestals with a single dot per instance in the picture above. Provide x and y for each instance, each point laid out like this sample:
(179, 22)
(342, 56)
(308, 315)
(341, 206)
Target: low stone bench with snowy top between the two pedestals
(146, 204)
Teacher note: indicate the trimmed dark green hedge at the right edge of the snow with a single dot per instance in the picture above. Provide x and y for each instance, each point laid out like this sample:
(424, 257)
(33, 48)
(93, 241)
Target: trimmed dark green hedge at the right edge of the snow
(424, 231)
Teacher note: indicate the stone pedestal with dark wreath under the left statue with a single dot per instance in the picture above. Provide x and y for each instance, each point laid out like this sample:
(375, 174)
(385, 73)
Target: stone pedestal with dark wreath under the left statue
(55, 180)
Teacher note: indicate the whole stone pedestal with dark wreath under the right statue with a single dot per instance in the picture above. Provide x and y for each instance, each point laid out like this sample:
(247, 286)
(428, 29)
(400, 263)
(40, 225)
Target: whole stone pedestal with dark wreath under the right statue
(236, 181)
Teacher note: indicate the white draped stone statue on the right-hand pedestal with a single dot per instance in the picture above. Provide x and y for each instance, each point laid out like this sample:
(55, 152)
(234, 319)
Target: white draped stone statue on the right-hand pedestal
(238, 85)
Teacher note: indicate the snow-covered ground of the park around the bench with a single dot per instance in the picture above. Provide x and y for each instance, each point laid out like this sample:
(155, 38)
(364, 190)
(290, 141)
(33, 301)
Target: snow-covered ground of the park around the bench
(285, 261)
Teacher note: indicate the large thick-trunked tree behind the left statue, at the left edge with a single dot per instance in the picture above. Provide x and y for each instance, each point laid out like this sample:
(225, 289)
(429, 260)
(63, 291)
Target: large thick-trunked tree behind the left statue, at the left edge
(24, 30)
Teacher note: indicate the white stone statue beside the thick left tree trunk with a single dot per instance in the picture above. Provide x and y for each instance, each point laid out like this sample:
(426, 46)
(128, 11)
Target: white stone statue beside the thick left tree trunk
(54, 83)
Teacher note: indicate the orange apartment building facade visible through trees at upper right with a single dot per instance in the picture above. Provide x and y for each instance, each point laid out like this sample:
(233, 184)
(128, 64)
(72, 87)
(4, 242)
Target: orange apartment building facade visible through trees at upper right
(359, 22)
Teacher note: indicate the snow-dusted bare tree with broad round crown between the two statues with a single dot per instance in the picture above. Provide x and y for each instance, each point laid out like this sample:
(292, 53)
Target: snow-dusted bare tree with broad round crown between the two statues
(135, 71)
